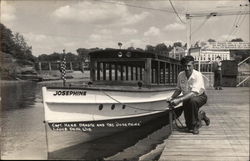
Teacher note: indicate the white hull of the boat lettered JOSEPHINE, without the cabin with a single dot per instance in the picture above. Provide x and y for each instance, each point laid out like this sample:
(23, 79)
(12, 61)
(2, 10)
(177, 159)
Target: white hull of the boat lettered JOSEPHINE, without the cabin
(77, 116)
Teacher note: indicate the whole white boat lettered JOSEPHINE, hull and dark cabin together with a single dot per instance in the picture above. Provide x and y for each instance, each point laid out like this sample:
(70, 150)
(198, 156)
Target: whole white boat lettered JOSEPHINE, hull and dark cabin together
(113, 102)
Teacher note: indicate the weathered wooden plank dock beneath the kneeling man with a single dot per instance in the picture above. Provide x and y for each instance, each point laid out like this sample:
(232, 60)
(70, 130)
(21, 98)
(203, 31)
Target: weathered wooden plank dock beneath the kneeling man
(227, 137)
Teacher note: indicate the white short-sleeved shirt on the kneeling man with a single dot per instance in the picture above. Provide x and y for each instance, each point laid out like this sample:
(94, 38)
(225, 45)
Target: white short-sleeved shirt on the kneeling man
(195, 83)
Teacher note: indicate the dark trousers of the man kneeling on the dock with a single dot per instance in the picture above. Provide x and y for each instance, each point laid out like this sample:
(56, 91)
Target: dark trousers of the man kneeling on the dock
(191, 109)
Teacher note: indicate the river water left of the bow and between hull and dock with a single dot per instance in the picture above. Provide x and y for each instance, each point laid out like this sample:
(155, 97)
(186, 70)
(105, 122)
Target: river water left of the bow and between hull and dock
(23, 133)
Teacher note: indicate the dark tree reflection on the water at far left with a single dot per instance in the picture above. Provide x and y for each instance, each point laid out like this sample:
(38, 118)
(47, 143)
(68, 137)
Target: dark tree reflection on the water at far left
(18, 95)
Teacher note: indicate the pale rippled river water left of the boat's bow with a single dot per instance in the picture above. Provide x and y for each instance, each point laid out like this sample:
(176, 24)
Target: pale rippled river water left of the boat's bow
(22, 130)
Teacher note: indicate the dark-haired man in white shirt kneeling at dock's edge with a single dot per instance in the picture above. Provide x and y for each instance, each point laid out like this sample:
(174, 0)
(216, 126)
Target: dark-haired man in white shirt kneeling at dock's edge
(191, 84)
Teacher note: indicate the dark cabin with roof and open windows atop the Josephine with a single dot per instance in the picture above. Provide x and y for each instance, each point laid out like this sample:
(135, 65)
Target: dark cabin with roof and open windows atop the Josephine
(119, 66)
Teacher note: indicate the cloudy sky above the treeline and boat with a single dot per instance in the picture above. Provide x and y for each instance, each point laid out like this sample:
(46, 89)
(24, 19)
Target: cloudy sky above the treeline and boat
(53, 25)
